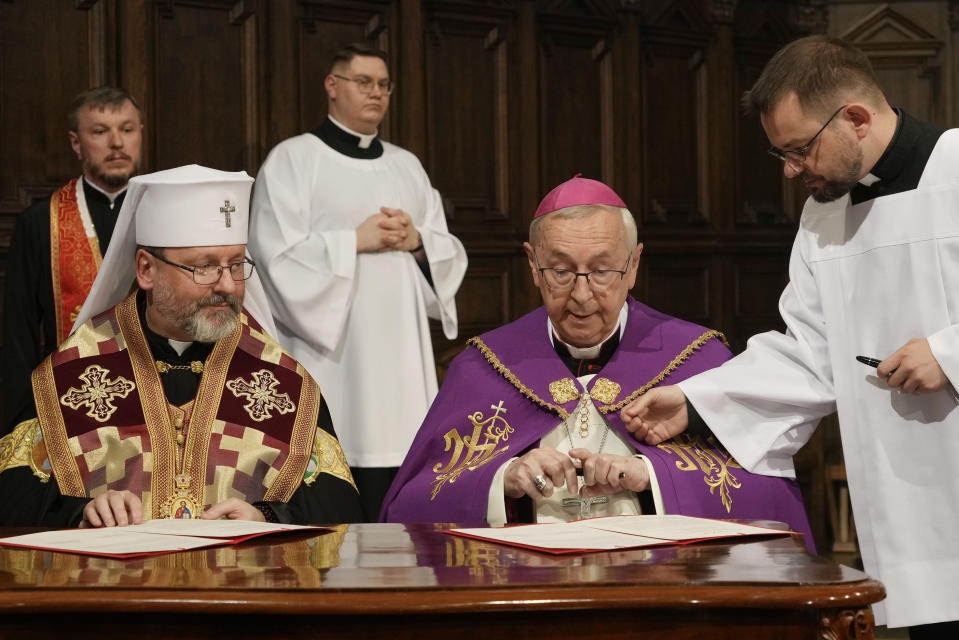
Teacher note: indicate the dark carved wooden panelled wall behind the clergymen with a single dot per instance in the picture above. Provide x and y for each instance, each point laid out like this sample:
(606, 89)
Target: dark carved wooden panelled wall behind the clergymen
(501, 100)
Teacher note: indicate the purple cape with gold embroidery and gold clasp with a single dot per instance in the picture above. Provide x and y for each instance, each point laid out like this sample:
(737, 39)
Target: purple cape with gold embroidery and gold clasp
(509, 389)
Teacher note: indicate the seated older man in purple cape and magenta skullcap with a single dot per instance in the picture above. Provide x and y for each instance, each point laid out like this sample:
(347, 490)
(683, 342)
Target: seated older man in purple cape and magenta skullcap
(526, 426)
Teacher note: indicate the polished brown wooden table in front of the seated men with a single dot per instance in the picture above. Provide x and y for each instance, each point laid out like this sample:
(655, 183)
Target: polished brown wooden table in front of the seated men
(404, 581)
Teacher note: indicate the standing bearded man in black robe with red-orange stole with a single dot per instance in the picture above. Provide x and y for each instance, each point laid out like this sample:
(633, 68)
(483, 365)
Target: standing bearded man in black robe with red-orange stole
(45, 289)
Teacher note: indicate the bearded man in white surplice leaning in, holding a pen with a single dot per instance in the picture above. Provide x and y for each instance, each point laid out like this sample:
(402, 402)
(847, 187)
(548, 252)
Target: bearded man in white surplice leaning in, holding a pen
(874, 272)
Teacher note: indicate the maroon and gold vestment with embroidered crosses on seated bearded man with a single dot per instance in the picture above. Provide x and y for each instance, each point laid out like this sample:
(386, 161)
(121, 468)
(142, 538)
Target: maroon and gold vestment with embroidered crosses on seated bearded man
(107, 425)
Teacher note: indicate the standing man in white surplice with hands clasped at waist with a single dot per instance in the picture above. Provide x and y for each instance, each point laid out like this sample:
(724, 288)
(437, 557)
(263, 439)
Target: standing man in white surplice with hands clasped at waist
(356, 256)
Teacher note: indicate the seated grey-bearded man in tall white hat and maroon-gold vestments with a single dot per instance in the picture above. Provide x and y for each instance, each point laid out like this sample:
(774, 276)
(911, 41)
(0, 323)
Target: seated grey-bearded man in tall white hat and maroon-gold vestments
(173, 401)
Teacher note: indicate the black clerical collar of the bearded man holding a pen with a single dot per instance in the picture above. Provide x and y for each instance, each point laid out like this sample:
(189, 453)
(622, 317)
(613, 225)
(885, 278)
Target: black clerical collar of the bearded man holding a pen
(901, 165)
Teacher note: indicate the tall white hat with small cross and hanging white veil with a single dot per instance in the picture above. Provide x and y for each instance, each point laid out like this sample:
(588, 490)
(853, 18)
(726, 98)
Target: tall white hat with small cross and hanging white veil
(190, 206)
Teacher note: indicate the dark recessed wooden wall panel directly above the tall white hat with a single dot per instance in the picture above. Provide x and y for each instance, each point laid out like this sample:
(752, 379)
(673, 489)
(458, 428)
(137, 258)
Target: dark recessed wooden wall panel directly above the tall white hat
(199, 88)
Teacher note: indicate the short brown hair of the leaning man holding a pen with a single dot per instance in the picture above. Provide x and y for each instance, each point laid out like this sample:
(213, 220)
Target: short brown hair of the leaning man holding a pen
(816, 68)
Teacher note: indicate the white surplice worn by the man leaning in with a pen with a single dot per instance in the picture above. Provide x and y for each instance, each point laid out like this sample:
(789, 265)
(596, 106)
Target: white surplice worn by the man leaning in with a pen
(864, 280)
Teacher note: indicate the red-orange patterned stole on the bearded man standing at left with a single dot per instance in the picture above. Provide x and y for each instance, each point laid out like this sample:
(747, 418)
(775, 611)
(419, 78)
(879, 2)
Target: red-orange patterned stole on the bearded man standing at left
(74, 258)
